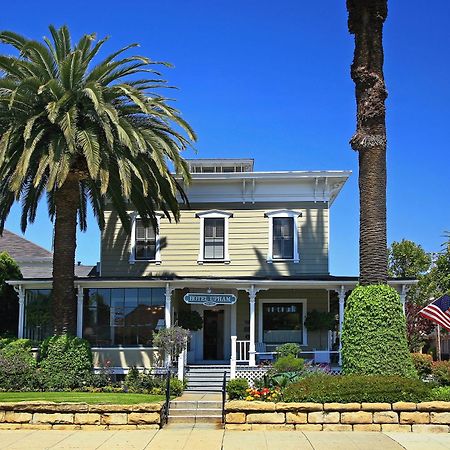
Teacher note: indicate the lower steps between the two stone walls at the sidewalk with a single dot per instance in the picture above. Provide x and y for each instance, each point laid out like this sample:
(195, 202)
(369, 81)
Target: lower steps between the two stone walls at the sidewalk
(200, 411)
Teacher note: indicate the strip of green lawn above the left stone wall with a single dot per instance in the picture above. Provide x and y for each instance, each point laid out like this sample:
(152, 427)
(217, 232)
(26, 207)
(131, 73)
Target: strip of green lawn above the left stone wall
(85, 397)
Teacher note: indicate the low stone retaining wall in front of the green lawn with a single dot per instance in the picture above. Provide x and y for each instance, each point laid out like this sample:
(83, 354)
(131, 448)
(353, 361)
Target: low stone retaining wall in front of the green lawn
(72, 416)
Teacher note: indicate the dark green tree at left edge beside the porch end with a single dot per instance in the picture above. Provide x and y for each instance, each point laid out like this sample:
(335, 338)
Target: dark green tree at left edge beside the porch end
(9, 303)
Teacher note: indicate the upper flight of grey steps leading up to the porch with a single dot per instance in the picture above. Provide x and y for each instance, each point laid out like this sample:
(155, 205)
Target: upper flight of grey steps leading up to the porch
(206, 378)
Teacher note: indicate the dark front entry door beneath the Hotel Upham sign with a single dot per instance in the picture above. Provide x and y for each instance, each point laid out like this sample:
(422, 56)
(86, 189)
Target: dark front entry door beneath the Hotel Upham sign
(213, 334)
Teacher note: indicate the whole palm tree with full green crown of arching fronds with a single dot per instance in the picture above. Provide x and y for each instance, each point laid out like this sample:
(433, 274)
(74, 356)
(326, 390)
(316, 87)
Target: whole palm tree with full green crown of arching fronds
(85, 133)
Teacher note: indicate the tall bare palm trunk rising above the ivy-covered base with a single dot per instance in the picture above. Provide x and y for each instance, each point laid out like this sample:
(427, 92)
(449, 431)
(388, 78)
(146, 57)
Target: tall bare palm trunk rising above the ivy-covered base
(365, 21)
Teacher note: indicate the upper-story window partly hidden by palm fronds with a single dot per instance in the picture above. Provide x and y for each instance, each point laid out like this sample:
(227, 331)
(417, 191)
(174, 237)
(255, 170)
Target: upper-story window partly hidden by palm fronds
(144, 242)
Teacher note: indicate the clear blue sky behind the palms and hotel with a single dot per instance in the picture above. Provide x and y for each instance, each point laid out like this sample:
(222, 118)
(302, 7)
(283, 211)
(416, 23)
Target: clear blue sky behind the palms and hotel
(270, 80)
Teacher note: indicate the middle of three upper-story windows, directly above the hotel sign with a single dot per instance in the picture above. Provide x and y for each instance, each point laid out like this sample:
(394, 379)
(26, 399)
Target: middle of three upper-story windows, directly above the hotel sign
(213, 236)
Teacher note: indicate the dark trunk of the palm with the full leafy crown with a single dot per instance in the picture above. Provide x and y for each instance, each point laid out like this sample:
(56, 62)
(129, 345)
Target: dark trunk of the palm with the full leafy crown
(67, 199)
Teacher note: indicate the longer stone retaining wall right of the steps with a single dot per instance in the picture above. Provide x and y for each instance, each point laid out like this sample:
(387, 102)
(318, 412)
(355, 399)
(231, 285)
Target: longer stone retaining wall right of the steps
(431, 417)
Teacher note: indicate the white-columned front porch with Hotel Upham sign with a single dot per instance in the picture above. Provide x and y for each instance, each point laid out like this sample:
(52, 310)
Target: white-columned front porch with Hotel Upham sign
(247, 320)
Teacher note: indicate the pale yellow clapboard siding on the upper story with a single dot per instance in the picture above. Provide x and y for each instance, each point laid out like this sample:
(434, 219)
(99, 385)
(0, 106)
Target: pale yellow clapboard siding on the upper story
(248, 245)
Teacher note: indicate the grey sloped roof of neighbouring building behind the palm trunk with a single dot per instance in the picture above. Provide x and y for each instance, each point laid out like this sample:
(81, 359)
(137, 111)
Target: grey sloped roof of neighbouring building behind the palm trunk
(22, 249)
